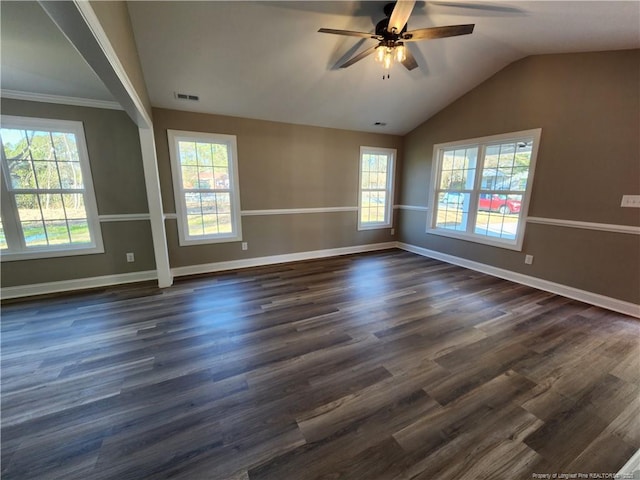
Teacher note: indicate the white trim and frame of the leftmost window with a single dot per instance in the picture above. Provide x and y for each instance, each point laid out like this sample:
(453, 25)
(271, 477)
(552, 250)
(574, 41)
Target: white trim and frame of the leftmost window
(8, 205)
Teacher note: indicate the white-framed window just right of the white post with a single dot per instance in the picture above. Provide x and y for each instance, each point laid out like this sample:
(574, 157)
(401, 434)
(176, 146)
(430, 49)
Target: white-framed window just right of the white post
(205, 182)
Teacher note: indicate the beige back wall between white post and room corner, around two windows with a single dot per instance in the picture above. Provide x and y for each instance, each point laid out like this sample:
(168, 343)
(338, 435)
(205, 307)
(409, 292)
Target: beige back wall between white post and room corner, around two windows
(281, 166)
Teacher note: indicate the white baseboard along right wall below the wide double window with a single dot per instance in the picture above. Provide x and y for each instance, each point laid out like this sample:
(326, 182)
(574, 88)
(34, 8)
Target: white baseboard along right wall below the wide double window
(596, 299)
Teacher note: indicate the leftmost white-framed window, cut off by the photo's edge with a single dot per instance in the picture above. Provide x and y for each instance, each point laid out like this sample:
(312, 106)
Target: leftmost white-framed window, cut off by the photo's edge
(48, 204)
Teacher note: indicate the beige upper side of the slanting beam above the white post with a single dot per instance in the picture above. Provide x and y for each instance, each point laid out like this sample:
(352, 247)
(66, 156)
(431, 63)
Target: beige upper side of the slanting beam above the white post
(115, 21)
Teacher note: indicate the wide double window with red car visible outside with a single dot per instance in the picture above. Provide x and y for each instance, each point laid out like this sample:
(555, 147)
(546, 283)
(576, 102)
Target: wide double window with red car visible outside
(481, 188)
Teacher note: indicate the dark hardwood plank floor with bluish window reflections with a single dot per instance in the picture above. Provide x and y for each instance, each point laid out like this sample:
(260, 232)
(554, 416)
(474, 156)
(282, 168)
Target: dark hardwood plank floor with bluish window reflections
(376, 366)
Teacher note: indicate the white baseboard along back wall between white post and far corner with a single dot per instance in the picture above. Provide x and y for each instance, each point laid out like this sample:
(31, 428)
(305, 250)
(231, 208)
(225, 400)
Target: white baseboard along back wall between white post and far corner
(273, 259)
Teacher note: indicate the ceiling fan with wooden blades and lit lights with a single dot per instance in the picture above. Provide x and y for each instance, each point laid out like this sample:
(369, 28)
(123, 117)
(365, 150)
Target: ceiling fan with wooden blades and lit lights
(391, 34)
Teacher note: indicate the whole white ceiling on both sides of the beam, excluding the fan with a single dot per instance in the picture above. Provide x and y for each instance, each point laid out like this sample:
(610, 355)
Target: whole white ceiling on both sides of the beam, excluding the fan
(266, 60)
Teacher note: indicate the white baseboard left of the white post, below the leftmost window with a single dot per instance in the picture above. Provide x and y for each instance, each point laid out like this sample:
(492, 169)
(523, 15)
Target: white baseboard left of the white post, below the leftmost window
(76, 284)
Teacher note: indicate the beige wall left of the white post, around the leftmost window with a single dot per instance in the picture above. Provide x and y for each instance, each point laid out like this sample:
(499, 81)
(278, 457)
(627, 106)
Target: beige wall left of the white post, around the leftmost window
(116, 167)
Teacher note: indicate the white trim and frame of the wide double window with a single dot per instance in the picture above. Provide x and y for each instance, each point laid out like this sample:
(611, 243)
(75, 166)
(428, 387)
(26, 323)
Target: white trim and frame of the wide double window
(481, 142)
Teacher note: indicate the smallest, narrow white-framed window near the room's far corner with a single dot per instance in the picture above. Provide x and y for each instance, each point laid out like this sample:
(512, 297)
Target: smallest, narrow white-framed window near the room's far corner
(375, 199)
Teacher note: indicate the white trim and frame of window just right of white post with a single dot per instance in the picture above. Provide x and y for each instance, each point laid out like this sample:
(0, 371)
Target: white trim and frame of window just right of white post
(184, 238)
